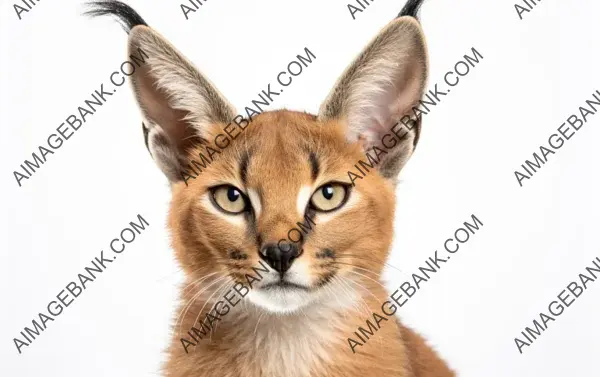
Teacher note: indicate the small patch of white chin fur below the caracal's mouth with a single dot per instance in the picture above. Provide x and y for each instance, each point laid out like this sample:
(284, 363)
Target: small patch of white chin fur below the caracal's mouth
(280, 300)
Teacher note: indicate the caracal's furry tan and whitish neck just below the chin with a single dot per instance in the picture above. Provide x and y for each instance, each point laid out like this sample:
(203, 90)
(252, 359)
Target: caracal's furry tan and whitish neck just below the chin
(244, 334)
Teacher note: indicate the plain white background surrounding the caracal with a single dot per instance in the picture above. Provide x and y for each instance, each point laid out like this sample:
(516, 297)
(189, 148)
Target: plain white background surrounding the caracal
(535, 239)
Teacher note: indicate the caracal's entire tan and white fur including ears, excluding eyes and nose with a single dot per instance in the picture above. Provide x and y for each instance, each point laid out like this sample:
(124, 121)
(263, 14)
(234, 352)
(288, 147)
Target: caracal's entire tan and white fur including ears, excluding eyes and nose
(183, 112)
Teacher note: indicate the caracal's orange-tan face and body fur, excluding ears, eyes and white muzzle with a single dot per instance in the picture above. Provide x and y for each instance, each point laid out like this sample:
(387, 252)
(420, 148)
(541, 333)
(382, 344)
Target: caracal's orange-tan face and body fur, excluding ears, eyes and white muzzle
(251, 342)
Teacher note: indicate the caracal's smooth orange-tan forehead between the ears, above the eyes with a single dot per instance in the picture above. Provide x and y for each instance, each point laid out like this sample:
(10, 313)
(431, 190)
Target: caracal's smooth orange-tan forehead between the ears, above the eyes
(284, 149)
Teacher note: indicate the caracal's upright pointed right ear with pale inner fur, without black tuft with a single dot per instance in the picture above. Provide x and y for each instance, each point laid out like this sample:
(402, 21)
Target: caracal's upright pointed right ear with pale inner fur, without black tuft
(378, 89)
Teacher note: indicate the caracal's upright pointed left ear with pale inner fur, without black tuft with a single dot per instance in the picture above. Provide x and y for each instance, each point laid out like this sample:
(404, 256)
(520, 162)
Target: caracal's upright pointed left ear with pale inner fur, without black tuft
(178, 103)
